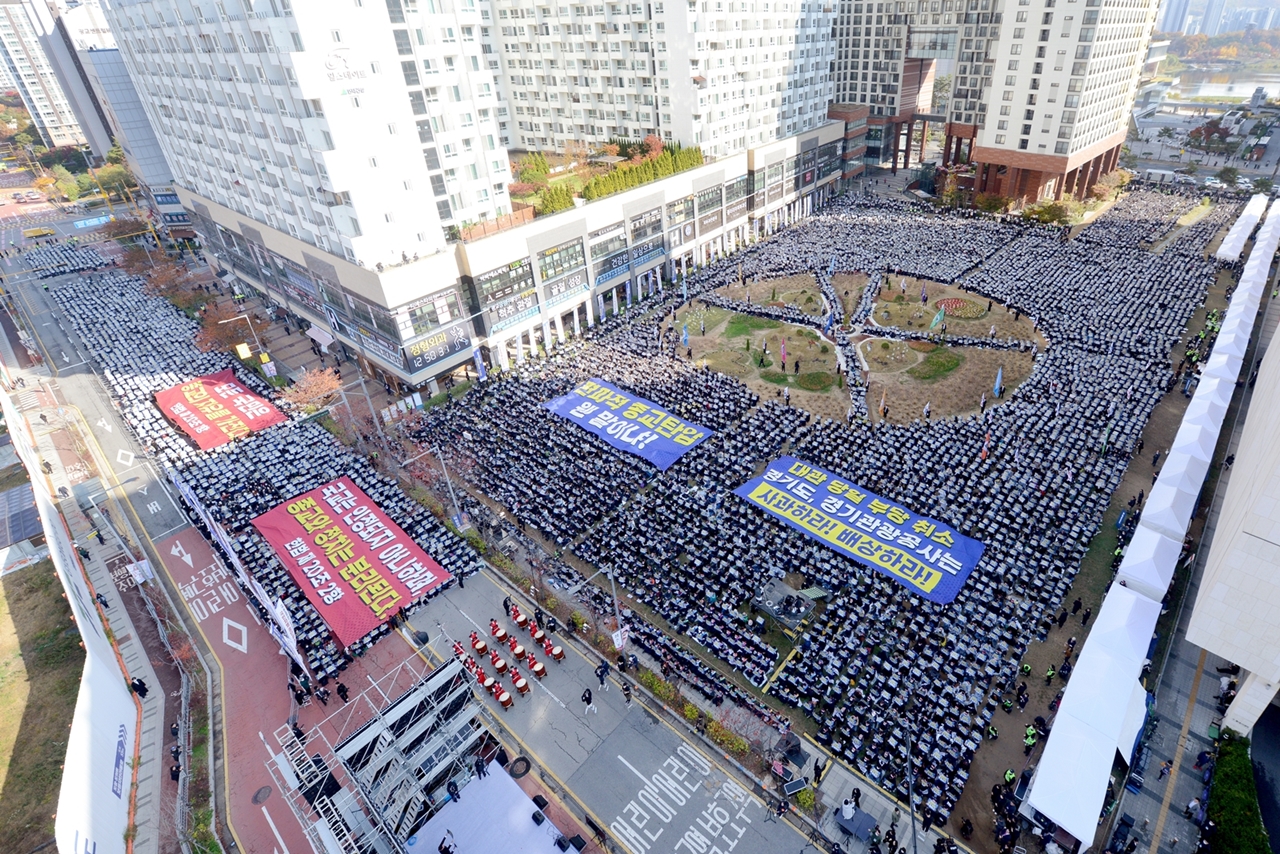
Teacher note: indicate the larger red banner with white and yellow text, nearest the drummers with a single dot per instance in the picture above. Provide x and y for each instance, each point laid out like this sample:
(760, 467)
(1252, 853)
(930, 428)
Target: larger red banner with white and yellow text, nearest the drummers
(355, 565)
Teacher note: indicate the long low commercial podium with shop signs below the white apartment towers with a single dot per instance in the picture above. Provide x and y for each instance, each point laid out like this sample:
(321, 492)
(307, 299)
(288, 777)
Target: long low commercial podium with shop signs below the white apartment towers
(500, 298)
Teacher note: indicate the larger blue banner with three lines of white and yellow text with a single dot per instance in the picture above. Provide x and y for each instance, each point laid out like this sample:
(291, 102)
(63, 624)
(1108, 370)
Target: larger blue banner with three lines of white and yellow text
(920, 554)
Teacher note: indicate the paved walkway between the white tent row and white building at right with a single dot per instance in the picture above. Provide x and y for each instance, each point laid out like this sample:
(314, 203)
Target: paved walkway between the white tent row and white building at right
(1187, 689)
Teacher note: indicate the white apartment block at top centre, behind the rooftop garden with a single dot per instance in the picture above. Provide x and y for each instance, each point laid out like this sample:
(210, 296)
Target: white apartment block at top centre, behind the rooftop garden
(723, 75)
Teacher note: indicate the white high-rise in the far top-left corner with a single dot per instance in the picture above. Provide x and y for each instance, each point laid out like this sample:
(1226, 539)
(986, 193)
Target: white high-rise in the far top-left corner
(35, 77)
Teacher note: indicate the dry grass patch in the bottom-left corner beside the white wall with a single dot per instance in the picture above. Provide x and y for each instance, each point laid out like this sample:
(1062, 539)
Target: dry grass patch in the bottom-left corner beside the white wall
(40, 670)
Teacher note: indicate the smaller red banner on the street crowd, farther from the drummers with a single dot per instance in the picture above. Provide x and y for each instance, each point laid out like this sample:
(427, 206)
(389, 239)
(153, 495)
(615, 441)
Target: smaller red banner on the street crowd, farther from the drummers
(213, 410)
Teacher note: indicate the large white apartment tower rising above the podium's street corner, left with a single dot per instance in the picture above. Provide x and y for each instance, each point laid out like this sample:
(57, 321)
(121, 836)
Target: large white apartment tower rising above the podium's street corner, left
(363, 130)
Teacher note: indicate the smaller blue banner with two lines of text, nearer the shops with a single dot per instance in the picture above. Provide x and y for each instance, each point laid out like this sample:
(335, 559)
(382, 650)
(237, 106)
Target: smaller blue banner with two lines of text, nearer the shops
(629, 423)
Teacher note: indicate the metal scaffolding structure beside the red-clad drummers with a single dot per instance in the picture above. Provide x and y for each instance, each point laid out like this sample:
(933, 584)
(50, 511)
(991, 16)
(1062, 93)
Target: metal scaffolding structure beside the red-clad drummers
(376, 770)
